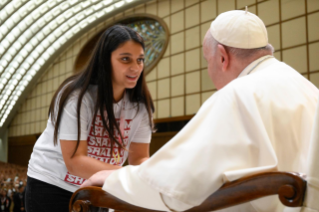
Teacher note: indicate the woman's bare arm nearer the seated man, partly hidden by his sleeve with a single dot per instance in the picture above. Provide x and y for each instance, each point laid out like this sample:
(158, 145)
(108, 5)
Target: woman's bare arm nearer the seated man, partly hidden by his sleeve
(139, 152)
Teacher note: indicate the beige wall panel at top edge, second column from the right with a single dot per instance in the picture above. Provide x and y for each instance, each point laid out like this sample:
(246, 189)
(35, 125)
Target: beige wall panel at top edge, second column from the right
(292, 8)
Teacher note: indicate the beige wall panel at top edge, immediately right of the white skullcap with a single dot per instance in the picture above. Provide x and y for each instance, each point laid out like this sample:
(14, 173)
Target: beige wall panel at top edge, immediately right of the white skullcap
(268, 11)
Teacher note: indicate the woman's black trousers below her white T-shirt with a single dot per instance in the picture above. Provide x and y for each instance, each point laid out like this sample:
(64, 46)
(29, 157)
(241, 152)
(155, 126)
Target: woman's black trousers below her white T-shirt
(44, 197)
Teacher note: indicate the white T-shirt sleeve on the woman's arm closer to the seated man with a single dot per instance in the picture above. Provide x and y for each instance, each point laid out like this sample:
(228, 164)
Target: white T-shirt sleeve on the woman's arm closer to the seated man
(144, 131)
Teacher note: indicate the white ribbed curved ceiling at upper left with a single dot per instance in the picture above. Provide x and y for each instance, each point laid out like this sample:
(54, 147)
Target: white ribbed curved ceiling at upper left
(33, 31)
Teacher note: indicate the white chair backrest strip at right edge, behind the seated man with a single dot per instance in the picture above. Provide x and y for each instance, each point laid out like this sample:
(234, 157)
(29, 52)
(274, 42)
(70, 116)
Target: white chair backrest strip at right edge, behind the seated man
(311, 202)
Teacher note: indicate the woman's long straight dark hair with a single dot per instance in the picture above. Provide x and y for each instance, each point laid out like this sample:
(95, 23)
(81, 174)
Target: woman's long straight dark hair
(99, 72)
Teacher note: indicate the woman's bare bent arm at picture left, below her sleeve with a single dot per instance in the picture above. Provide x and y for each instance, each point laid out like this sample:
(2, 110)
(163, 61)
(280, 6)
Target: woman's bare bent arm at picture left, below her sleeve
(80, 164)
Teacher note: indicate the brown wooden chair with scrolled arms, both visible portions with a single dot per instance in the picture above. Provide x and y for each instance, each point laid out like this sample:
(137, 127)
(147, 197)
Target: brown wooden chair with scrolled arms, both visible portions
(290, 188)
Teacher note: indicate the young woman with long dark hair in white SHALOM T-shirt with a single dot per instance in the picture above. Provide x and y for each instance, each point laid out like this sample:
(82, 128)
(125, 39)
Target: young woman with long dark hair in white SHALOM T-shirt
(97, 119)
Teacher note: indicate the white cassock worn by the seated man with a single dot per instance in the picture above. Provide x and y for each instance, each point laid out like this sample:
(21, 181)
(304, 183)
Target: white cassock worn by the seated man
(259, 122)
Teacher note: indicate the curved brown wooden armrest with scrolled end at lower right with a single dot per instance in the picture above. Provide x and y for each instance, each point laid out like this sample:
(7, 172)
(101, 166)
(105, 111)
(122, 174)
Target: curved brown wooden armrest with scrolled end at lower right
(289, 186)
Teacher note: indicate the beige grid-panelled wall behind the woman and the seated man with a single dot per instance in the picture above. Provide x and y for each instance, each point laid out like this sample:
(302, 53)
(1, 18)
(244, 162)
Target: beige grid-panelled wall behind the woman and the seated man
(179, 83)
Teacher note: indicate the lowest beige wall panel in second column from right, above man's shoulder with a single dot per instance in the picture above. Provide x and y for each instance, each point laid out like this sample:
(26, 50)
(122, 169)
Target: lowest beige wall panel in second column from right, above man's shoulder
(296, 58)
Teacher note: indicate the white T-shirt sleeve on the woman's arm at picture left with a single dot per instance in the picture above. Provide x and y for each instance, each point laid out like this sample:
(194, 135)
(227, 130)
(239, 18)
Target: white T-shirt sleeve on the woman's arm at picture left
(68, 129)
